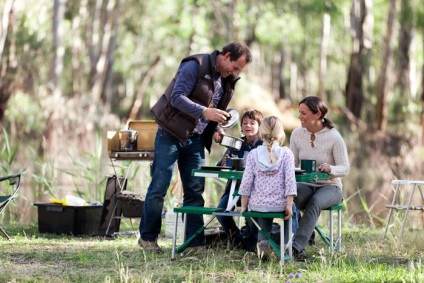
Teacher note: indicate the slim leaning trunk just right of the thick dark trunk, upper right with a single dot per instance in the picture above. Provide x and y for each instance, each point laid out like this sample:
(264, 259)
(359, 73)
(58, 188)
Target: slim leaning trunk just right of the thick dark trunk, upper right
(383, 86)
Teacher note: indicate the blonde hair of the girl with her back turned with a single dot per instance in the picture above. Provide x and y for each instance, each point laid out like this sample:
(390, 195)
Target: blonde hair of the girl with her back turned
(272, 132)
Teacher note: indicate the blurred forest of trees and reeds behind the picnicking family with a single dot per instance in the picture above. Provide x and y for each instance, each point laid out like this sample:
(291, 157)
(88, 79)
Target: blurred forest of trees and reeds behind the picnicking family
(72, 70)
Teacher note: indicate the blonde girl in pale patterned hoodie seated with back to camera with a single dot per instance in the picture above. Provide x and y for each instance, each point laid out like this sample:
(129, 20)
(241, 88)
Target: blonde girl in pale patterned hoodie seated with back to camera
(269, 183)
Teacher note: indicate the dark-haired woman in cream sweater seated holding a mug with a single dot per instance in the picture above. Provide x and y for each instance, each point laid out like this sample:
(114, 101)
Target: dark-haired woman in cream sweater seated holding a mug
(317, 139)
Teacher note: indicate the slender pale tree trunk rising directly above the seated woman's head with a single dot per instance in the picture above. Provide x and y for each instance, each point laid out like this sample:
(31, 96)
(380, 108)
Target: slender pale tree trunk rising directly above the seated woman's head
(326, 25)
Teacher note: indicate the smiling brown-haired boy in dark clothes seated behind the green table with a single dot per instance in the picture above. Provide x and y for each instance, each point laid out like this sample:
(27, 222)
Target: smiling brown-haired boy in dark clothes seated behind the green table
(250, 121)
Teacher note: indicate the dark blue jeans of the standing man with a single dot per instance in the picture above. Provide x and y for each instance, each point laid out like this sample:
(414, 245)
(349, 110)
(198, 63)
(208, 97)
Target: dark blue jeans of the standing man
(168, 152)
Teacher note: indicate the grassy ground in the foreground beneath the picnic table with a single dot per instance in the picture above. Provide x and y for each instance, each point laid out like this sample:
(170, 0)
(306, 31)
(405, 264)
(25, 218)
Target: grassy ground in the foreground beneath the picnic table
(34, 257)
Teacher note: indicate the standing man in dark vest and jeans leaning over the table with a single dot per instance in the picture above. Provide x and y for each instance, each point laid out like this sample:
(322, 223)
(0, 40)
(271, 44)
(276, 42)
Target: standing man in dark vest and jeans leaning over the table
(188, 114)
